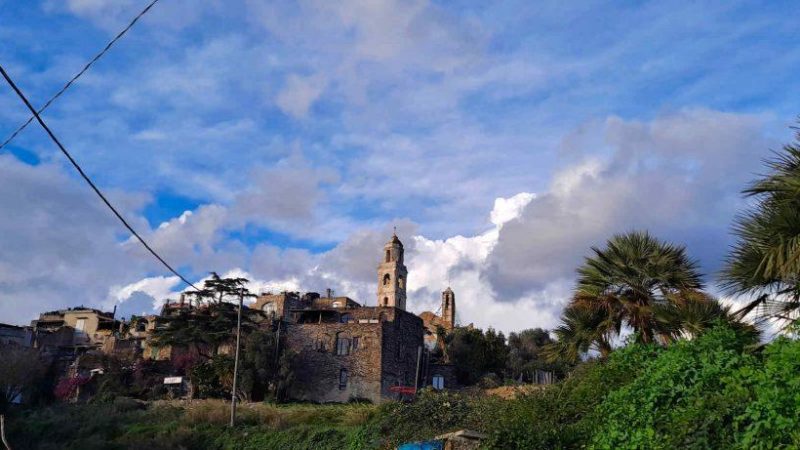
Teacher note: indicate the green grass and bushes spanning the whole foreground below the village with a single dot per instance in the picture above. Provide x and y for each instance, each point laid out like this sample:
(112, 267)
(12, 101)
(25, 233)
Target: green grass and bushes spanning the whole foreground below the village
(710, 392)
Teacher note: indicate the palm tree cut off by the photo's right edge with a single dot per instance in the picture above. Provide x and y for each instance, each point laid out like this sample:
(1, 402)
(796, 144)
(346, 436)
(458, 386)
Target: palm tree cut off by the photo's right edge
(765, 261)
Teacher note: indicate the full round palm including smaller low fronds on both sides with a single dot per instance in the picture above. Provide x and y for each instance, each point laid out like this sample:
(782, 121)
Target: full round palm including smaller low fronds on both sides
(641, 283)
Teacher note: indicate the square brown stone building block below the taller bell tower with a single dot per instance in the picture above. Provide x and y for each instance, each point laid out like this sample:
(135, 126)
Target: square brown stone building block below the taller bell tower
(353, 353)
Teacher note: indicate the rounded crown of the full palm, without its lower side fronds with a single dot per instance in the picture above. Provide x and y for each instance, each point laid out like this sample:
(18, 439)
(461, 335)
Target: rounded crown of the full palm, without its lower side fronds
(632, 279)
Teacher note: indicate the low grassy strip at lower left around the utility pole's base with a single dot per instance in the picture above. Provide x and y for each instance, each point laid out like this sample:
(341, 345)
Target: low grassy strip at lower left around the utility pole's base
(196, 425)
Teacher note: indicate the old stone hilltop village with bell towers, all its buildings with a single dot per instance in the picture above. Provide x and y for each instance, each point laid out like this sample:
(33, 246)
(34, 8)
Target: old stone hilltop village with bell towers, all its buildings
(341, 349)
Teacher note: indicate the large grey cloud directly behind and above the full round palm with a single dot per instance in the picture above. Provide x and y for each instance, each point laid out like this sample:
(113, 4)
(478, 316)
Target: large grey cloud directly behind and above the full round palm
(678, 176)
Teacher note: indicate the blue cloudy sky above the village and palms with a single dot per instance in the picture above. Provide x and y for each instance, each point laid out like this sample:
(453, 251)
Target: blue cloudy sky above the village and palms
(283, 141)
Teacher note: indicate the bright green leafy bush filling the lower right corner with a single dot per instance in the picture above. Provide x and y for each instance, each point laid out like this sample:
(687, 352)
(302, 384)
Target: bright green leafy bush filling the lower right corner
(705, 394)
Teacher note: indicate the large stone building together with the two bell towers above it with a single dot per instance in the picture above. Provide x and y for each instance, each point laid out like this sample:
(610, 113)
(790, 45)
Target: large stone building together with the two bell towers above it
(346, 351)
